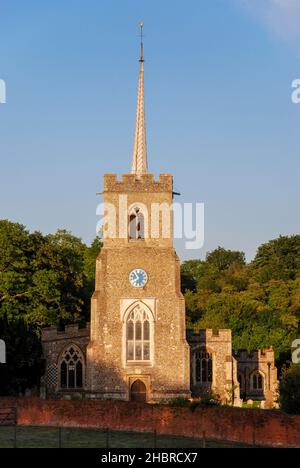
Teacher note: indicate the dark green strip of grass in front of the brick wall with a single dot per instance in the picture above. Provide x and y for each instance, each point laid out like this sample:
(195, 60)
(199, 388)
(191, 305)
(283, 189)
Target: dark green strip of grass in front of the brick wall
(49, 437)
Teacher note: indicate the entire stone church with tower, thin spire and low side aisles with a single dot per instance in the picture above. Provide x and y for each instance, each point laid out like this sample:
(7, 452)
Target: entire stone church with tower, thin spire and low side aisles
(136, 346)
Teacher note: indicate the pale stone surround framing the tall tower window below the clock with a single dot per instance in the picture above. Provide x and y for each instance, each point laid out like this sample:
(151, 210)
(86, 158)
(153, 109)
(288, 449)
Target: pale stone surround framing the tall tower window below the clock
(129, 310)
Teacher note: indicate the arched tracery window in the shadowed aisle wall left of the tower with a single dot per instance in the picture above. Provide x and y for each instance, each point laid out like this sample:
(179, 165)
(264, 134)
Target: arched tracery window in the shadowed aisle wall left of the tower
(71, 368)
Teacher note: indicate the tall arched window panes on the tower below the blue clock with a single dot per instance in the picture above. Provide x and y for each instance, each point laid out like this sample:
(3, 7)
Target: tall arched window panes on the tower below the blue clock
(138, 333)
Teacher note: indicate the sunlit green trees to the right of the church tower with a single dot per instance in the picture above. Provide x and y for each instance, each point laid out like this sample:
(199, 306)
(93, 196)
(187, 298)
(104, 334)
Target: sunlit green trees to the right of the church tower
(260, 301)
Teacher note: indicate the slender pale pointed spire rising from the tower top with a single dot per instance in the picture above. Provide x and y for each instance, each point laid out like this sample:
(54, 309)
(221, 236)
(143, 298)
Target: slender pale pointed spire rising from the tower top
(139, 160)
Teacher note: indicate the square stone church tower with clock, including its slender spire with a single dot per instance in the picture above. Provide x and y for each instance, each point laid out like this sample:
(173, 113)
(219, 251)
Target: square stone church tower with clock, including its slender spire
(138, 349)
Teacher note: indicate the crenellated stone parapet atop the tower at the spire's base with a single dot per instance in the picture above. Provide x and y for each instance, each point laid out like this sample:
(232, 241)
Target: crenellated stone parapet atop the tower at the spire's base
(143, 183)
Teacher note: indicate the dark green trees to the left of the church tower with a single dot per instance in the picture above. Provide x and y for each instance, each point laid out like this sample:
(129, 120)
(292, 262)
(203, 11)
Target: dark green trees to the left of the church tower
(44, 280)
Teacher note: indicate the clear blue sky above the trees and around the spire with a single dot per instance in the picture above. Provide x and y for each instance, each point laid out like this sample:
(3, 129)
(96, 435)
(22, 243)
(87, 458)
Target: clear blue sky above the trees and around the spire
(219, 112)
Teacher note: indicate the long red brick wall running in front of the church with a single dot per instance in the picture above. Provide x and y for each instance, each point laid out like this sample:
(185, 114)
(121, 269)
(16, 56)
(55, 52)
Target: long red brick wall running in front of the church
(237, 425)
